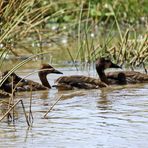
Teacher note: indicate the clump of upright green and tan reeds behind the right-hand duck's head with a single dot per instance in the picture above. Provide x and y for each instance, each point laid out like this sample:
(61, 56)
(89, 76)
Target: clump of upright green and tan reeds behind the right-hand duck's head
(123, 47)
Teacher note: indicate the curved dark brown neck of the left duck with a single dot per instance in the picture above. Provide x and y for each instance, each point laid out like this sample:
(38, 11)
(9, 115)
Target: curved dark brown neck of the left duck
(43, 78)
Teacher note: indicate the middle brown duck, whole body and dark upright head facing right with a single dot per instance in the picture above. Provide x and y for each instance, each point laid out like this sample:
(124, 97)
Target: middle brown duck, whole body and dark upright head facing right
(75, 81)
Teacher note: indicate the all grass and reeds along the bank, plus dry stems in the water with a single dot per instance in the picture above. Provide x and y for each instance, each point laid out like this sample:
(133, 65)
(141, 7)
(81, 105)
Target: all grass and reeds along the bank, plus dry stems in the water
(27, 22)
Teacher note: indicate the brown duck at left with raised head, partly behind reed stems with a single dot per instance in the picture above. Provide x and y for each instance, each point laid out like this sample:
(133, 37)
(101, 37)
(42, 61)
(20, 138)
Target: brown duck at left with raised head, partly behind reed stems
(27, 85)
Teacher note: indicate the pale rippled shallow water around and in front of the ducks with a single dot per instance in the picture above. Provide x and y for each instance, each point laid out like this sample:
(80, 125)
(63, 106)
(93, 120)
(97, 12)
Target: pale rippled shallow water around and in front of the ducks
(106, 118)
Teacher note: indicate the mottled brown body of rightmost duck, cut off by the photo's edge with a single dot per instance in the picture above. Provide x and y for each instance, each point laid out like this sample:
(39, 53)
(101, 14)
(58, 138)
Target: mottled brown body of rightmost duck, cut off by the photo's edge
(129, 77)
